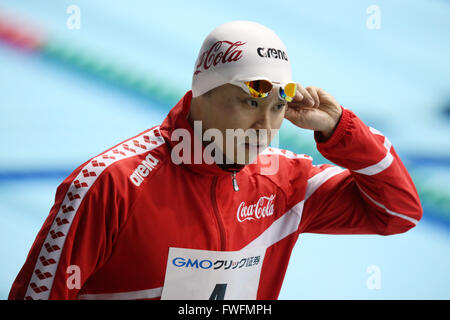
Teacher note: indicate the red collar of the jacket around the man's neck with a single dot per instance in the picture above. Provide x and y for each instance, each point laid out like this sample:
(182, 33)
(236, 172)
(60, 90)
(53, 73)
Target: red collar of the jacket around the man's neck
(177, 119)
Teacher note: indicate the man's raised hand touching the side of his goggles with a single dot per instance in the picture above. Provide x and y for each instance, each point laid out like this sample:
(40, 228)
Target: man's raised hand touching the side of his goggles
(313, 108)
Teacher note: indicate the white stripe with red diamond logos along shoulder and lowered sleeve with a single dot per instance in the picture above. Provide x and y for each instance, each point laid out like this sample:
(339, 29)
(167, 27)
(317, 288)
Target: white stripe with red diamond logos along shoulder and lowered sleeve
(44, 271)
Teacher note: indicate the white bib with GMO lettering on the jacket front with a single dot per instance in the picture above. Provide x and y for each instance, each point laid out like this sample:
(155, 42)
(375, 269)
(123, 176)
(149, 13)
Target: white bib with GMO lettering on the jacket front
(214, 275)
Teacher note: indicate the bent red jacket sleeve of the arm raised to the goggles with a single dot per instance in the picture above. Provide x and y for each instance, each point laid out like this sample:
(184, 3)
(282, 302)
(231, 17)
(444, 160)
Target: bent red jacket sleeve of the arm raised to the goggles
(371, 194)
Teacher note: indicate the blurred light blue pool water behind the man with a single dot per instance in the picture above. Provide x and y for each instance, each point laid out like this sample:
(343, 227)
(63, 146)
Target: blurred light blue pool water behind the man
(396, 79)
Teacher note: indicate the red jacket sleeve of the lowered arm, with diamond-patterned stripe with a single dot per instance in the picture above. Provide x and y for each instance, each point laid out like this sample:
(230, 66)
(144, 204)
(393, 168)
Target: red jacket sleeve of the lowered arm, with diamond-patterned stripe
(76, 237)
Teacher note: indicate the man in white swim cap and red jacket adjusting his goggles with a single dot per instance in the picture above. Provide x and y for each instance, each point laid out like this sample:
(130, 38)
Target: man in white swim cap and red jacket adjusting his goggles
(188, 210)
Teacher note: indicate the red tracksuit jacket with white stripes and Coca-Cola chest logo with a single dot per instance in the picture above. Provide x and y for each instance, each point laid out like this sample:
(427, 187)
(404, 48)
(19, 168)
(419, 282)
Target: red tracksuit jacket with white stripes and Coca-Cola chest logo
(116, 215)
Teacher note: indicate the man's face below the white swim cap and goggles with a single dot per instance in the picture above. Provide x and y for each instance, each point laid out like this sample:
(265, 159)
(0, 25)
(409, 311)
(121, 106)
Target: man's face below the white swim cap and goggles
(229, 107)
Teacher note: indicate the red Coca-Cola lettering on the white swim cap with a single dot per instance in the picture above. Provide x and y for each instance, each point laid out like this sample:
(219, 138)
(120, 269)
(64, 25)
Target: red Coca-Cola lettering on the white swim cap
(220, 52)
